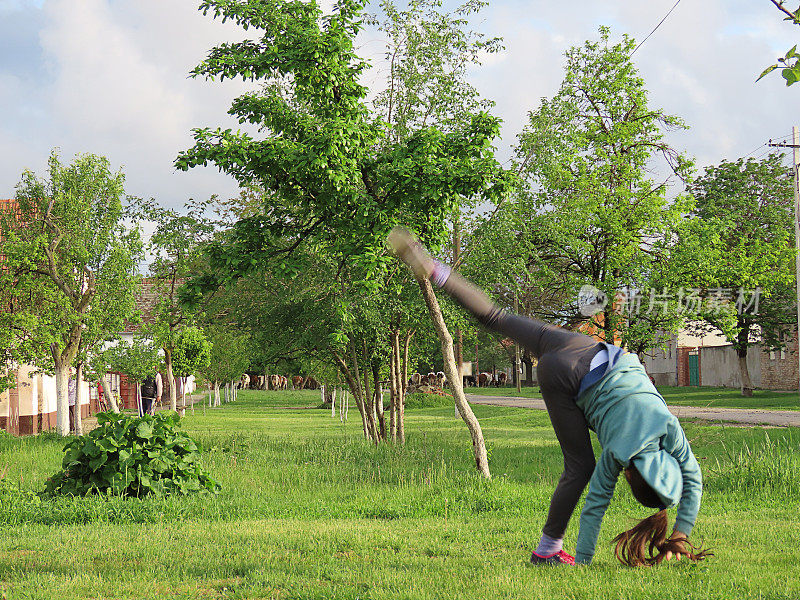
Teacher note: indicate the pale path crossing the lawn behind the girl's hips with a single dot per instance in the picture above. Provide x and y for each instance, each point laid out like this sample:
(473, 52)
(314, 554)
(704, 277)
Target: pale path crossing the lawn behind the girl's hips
(747, 416)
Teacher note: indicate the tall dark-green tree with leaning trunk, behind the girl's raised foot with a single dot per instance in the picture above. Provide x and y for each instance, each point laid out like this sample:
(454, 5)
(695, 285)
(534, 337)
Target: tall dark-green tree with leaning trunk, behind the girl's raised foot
(339, 176)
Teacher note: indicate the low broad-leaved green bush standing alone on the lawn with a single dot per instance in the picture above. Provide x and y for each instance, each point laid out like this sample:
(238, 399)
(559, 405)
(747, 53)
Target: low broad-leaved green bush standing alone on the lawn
(132, 456)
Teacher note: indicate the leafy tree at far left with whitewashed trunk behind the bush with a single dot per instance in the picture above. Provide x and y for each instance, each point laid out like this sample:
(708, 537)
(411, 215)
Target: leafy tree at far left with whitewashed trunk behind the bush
(70, 266)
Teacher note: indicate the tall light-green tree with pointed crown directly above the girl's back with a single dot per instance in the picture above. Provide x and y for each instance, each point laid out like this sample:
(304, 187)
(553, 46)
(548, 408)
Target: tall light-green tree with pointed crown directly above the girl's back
(591, 214)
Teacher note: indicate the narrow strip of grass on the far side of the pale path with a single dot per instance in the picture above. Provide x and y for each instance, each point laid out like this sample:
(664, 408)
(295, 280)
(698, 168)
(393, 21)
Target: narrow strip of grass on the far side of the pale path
(704, 397)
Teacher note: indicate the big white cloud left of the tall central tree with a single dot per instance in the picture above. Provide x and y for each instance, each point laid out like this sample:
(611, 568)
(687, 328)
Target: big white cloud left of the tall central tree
(119, 86)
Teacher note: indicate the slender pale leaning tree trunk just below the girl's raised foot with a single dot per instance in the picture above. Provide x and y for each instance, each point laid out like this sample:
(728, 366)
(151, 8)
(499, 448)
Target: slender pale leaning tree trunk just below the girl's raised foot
(451, 371)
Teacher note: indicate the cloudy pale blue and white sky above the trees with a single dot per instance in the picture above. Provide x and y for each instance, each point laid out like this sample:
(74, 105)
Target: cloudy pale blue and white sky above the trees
(110, 77)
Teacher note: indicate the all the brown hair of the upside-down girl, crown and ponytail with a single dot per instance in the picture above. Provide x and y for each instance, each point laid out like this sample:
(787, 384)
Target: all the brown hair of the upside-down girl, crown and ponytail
(647, 544)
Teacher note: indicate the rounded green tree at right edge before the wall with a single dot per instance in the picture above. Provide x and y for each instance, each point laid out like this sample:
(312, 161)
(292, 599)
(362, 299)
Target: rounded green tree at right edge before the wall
(739, 253)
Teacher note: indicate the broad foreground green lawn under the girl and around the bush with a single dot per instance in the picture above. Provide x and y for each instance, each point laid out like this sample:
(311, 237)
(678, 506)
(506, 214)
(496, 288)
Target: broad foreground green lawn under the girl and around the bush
(309, 510)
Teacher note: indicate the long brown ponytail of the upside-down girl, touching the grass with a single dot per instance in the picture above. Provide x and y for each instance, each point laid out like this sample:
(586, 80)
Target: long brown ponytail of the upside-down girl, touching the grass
(647, 544)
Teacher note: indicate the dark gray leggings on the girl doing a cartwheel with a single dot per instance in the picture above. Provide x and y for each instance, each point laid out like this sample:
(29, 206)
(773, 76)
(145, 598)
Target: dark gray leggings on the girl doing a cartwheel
(564, 358)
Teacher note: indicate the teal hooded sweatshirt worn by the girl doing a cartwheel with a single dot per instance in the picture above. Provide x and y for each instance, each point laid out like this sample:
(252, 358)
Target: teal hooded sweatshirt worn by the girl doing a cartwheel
(633, 425)
